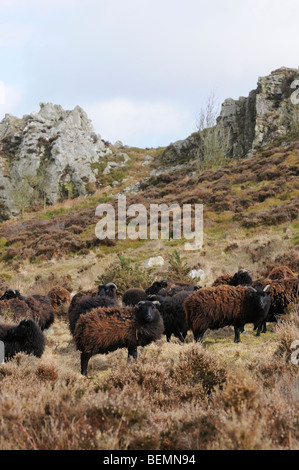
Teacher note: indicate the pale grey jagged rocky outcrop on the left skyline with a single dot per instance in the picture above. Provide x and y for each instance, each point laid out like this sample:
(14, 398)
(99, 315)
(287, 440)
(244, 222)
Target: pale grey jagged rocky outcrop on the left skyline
(53, 148)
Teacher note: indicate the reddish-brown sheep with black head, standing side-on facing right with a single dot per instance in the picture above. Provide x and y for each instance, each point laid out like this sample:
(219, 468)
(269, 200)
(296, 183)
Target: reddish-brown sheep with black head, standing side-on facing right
(216, 307)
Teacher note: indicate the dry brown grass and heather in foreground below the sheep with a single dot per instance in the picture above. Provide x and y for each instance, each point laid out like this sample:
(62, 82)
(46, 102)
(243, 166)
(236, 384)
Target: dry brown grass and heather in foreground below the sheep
(218, 395)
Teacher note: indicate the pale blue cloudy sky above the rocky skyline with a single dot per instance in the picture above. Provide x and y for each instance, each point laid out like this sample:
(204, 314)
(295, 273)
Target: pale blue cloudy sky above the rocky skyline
(141, 69)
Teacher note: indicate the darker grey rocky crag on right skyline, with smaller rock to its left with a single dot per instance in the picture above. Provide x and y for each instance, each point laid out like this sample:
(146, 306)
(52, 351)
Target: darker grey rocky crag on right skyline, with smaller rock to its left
(268, 113)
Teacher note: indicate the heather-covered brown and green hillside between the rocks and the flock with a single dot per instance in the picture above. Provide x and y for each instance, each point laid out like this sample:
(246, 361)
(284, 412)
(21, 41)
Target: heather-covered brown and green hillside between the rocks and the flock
(250, 220)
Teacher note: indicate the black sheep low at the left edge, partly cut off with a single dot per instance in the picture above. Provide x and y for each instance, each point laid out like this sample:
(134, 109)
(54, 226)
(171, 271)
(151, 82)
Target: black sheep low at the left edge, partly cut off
(25, 337)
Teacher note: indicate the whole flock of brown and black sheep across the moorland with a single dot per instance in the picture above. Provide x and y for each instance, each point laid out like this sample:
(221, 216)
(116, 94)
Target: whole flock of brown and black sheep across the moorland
(100, 322)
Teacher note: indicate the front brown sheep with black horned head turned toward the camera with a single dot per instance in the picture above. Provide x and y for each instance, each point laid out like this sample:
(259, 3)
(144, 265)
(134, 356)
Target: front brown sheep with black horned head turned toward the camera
(103, 330)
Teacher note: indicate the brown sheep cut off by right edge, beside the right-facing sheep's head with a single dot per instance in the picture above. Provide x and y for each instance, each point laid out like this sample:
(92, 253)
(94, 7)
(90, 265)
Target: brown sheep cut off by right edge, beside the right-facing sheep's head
(283, 292)
